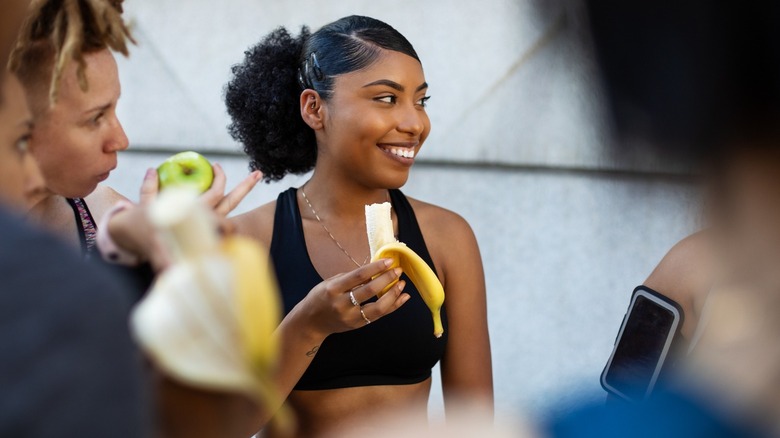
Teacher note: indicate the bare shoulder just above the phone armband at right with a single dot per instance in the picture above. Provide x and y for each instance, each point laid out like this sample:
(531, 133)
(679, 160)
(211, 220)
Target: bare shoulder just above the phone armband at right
(686, 272)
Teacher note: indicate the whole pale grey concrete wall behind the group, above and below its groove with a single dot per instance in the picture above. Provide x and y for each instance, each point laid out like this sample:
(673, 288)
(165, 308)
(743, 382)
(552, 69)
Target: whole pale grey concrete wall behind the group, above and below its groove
(519, 148)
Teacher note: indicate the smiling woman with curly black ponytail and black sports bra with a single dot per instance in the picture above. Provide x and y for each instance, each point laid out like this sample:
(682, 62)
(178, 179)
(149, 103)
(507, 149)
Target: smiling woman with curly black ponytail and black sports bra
(349, 102)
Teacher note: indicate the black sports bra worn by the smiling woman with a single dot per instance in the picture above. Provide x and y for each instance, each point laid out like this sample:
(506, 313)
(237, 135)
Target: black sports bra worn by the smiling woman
(397, 349)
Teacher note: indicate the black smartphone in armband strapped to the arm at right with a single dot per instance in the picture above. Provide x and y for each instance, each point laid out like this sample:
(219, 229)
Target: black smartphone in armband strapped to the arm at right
(643, 346)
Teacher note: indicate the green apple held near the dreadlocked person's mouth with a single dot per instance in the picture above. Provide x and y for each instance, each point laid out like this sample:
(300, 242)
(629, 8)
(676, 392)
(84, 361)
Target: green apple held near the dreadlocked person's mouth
(186, 169)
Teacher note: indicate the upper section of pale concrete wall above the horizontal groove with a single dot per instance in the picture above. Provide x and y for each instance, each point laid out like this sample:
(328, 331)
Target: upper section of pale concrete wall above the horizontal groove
(512, 81)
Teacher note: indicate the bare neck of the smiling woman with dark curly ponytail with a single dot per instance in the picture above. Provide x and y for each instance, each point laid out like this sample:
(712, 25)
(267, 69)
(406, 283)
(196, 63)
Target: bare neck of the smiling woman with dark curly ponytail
(336, 196)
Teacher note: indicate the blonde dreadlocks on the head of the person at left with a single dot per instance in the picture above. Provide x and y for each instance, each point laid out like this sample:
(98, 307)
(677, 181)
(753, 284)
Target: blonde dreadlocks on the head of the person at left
(66, 30)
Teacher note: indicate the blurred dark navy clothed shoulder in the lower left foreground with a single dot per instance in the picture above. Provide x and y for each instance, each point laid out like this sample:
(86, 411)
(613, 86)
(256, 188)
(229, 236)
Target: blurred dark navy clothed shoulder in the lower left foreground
(67, 348)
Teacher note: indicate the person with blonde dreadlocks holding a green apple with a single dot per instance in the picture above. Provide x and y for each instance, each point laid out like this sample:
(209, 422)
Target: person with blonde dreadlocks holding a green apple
(64, 59)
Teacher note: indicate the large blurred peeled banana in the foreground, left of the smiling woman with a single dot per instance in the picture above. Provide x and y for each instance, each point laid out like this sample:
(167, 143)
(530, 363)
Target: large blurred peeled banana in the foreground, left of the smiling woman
(209, 319)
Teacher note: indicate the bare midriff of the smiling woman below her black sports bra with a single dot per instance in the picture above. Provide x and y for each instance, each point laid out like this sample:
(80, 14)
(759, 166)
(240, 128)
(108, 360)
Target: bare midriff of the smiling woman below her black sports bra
(330, 410)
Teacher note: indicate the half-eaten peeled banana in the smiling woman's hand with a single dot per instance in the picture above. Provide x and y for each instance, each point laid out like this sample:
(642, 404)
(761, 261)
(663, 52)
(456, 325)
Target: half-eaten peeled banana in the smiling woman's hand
(383, 244)
